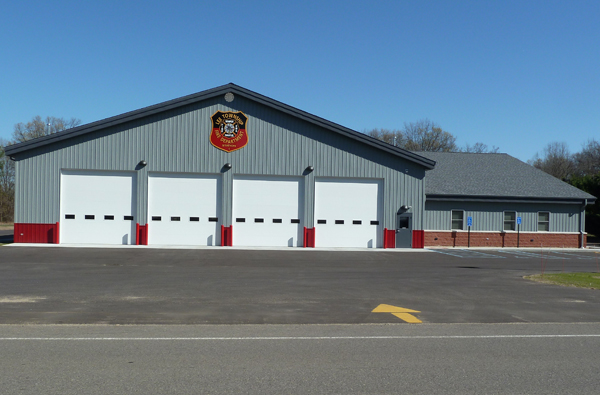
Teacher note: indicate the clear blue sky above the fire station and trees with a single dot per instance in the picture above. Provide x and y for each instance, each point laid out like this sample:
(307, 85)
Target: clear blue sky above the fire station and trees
(512, 74)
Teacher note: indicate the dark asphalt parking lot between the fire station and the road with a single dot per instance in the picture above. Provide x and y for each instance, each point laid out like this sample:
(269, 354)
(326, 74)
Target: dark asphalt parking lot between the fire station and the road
(42, 285)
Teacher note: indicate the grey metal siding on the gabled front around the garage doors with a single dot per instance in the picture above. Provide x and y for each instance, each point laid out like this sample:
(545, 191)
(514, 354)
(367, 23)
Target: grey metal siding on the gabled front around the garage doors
(178, 141)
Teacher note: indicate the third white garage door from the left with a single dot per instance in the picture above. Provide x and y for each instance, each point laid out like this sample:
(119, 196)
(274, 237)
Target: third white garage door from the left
(267, 211)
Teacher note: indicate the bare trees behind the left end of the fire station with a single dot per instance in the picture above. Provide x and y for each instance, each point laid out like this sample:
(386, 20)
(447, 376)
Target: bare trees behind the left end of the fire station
(37, 127)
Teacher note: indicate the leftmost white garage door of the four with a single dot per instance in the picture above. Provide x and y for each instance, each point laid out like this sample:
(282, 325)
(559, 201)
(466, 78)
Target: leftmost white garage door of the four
(97, 207)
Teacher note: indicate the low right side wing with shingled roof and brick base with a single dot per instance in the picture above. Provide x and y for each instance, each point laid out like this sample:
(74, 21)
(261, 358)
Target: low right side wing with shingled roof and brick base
(494, 200)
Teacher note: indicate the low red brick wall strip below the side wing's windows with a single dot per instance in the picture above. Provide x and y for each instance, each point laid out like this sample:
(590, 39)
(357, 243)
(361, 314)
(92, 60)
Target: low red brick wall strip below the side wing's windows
(496, 239)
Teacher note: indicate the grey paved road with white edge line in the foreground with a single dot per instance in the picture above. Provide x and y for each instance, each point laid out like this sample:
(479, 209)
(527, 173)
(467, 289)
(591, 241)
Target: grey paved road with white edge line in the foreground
(308, 359)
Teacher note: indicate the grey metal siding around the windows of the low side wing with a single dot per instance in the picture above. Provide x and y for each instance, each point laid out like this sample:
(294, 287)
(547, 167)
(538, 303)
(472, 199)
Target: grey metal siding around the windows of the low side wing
(489, 216)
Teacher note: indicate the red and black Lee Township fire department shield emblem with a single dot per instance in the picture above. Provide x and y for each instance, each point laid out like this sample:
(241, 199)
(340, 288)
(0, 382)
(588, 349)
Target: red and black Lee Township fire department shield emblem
(229, 130)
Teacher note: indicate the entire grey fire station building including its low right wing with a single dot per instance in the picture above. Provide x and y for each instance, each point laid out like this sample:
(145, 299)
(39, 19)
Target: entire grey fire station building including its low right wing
(231, 167)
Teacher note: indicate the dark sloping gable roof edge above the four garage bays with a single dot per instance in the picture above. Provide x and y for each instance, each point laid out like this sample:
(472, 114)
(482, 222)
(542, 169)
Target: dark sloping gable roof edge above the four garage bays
(207, 94)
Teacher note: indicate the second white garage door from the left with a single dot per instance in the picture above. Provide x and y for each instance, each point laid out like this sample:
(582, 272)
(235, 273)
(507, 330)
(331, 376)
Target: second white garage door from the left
(184, 209)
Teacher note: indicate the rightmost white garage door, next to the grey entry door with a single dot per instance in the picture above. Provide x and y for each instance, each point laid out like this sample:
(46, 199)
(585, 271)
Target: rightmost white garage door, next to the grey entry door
(348, 213)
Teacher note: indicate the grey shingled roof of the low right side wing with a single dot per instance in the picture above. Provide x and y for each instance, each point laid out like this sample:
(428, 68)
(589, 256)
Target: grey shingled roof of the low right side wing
(468, 176)
